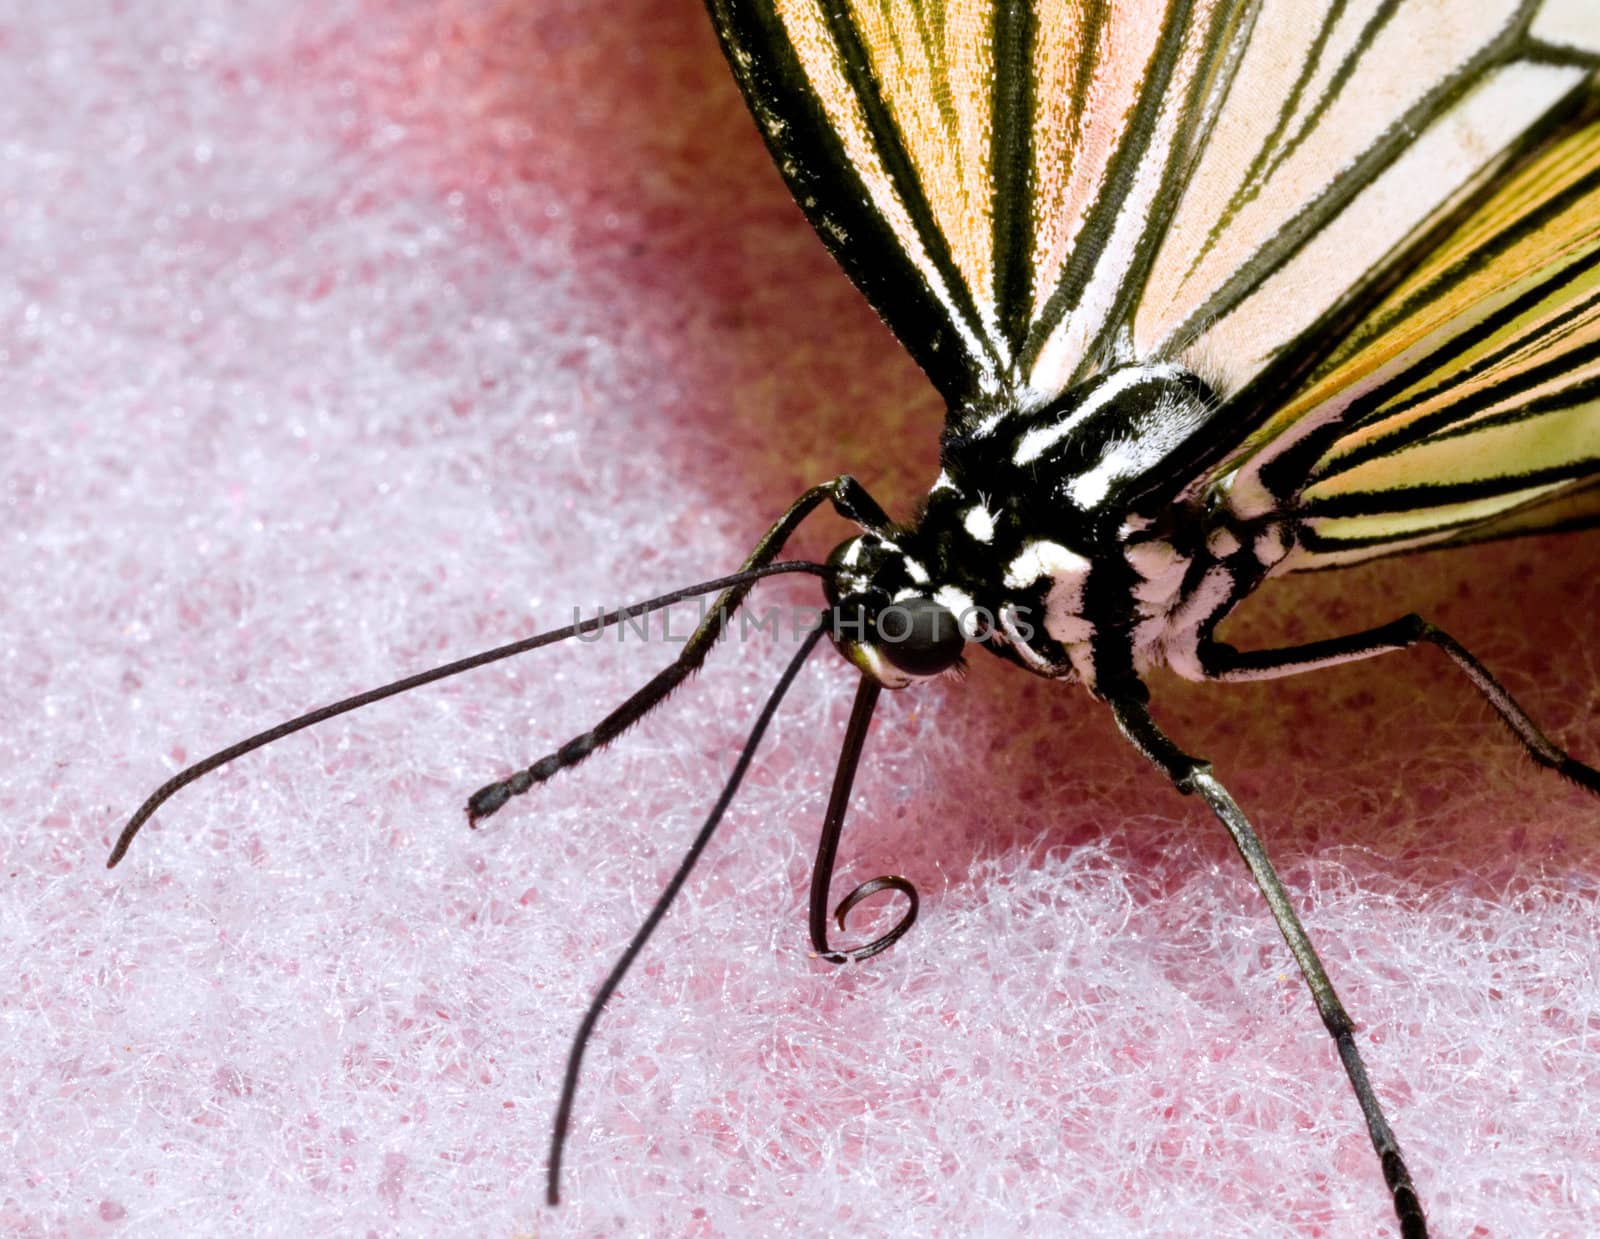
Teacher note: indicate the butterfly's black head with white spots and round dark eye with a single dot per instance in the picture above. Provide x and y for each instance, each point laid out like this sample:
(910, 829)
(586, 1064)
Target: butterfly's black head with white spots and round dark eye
(890, 619)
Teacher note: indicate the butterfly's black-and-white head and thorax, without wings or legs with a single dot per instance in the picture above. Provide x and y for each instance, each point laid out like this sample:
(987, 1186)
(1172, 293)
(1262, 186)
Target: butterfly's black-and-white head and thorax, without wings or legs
(1063, 540)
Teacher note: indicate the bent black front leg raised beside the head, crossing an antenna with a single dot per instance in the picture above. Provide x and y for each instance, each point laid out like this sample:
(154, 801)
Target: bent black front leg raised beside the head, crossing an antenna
(850, 500)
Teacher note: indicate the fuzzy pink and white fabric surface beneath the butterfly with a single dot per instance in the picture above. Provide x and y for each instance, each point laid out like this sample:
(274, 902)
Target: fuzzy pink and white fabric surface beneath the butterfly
(343, 339)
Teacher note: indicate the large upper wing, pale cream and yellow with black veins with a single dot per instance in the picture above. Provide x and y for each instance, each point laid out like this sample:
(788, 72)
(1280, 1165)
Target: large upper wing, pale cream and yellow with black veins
(1031, 191)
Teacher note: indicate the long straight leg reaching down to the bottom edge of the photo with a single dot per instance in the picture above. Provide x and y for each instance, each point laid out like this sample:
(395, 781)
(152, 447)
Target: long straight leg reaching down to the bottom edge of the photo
(1194, 776)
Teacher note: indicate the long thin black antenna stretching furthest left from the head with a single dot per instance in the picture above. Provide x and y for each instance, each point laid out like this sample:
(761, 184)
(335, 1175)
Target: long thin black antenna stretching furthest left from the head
(273, 734)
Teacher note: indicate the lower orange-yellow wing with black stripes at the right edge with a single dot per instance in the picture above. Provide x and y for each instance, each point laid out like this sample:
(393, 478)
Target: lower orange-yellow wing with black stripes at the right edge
(1468, 404)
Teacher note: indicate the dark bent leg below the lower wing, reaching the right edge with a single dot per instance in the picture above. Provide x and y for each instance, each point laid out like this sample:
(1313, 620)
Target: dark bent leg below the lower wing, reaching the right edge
(1225, 664)
